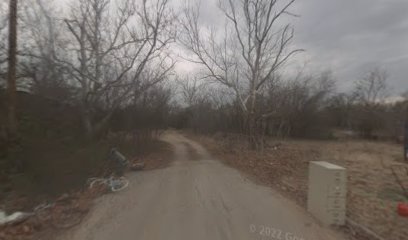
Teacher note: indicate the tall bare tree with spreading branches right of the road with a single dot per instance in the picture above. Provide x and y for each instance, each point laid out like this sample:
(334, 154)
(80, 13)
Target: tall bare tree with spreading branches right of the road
(247, 56)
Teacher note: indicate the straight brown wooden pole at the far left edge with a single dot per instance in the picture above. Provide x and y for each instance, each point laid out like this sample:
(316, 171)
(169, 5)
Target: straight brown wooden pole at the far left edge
(11, 84)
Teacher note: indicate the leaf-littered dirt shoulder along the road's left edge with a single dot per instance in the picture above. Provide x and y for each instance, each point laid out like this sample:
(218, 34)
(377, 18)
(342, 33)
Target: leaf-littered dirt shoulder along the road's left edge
(153, 153)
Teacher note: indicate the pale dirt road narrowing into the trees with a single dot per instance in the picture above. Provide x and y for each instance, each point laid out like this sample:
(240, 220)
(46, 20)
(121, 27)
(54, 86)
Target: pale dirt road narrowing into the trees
(196, 198)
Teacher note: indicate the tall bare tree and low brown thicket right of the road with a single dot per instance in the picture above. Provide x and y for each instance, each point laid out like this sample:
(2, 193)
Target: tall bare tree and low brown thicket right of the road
(245, 59)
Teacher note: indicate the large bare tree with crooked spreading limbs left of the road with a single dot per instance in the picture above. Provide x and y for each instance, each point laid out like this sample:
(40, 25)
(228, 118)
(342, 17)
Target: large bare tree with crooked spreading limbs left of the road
(111, 51)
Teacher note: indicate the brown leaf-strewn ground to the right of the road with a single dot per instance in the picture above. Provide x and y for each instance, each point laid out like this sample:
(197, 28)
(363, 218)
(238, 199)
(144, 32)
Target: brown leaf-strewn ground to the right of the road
(373, 194)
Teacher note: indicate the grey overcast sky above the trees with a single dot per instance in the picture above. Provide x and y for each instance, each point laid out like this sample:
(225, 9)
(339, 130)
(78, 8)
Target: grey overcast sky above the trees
(348, 37)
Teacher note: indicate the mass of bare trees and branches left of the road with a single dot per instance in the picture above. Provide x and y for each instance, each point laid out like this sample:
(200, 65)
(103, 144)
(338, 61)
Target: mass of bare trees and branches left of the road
(100, 56)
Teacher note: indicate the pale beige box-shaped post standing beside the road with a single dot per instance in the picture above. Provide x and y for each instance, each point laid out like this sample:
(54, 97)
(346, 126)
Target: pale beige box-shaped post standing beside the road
(327, 193)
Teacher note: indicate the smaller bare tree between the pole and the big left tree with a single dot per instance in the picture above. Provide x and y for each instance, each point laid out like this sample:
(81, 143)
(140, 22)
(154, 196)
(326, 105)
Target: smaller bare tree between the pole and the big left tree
(39, 56)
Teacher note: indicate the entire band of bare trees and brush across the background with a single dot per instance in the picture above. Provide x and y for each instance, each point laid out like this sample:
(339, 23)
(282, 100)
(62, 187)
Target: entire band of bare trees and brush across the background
(112, 61)
